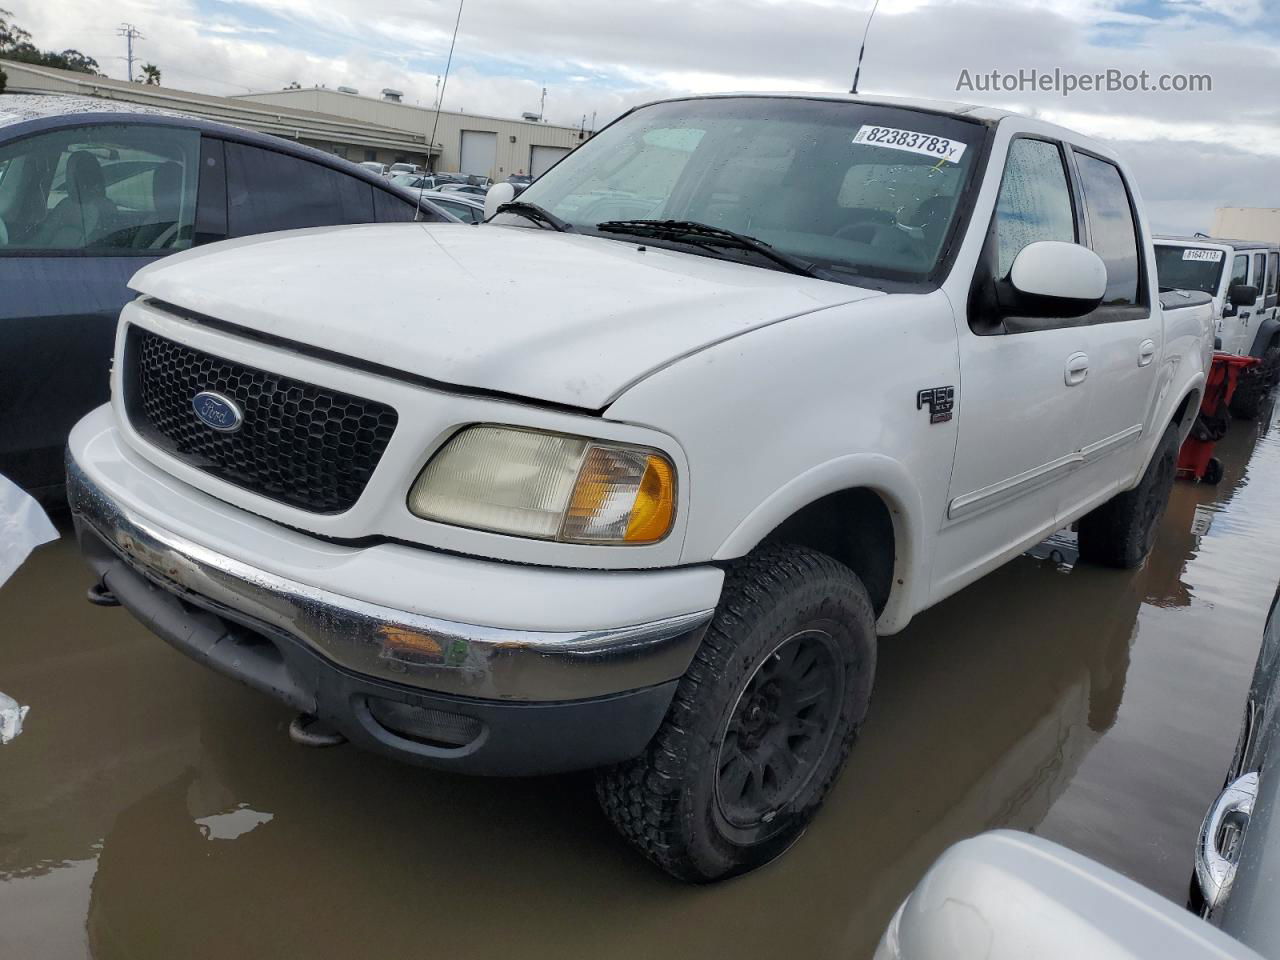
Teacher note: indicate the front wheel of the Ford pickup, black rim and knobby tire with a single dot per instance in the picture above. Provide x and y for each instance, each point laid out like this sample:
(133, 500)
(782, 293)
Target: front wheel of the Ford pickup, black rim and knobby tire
(761, 724)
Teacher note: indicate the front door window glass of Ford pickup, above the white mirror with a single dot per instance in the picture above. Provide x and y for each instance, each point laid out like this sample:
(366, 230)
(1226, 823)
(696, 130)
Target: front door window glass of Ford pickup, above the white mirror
(1035, 202)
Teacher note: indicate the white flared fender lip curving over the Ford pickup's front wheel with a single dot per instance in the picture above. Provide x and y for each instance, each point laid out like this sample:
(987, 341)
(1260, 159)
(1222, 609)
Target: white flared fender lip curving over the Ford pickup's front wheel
(874, 472)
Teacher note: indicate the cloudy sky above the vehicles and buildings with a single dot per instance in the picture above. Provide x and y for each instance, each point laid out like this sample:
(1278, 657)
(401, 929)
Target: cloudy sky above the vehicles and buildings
(1192, 152)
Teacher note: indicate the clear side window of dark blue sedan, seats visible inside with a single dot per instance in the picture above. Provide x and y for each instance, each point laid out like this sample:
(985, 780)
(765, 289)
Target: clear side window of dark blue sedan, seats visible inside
(100, 190)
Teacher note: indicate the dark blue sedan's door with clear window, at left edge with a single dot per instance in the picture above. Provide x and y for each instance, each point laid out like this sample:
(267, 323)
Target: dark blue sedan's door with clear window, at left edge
(84, 208)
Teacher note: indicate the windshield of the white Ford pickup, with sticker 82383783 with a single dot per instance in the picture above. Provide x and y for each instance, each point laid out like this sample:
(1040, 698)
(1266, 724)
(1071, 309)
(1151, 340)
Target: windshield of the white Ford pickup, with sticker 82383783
(853, 188)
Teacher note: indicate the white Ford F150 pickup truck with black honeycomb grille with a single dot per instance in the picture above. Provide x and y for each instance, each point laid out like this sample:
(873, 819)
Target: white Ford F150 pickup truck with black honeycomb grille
(634, 477)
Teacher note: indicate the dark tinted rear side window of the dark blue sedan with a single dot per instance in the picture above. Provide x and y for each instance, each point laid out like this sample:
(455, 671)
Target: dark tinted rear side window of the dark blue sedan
(269, 191)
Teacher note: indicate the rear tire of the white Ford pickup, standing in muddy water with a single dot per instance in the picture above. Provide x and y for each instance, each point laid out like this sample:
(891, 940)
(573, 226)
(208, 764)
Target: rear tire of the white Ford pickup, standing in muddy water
(1123, 531)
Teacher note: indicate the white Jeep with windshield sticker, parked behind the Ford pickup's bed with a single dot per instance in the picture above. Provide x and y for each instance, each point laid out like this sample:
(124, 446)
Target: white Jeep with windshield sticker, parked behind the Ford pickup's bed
(1241, 277)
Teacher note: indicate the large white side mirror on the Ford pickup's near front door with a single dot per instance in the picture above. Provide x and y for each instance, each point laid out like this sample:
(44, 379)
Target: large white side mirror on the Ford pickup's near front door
(1057, 280)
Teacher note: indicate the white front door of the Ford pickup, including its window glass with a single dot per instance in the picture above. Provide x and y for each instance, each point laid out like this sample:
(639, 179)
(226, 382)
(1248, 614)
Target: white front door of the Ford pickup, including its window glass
(1023, 388)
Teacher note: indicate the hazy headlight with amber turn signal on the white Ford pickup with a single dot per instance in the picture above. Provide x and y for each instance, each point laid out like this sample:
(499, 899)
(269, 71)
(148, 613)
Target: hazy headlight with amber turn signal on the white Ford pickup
(551, 487)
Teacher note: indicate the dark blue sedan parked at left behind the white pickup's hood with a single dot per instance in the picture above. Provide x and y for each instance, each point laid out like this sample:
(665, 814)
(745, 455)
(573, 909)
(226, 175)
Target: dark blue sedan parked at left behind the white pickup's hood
(90, 193)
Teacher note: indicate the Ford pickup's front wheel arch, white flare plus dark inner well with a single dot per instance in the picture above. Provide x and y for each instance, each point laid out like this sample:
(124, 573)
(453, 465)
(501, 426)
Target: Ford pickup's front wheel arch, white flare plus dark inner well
(863, 510)
